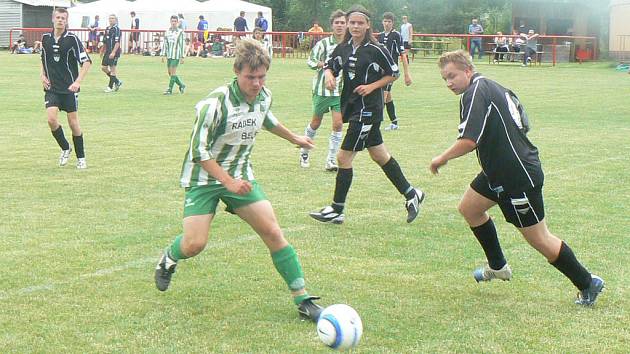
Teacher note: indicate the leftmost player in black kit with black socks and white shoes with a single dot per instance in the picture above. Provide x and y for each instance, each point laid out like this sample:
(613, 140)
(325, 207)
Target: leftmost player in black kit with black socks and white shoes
(62, 52)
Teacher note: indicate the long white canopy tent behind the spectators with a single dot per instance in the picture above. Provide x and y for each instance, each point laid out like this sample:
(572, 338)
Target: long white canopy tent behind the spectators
(155, 14)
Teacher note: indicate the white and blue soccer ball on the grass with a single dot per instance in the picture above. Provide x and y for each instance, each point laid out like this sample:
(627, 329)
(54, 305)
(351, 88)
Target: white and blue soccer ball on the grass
(340, 327)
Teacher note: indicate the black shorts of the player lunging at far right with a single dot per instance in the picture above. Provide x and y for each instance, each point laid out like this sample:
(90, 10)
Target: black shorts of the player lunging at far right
(521, 209)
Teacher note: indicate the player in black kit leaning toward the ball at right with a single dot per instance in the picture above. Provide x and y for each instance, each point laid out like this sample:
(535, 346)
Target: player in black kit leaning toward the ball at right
(494, 123)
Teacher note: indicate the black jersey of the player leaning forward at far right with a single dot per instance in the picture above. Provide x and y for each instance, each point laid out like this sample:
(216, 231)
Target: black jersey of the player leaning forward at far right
(492, 117)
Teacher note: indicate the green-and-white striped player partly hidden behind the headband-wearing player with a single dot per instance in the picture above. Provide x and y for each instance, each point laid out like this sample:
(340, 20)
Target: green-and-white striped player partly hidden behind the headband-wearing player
(325, 100)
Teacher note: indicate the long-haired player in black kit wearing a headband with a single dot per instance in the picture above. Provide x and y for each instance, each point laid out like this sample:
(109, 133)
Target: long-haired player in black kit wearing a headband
(367, 67)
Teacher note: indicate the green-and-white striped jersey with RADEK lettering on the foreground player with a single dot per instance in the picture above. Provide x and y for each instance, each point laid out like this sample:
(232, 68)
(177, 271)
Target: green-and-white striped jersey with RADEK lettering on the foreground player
(225, 131)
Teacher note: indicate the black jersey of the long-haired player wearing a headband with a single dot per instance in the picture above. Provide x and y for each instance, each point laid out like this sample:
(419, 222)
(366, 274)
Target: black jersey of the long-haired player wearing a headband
(364, 65)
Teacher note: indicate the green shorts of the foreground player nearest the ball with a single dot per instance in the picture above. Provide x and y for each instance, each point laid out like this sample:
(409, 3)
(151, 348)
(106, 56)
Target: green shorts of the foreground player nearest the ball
(203, 200)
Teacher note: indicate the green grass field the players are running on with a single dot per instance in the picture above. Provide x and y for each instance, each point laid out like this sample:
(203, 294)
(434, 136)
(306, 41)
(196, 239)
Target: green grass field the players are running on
(80, 246)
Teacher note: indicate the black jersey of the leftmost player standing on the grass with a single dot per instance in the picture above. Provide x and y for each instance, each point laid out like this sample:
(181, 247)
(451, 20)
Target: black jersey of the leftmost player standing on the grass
(60, 59)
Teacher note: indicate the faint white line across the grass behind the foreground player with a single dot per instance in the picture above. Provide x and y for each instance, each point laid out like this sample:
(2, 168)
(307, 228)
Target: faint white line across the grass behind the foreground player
(137, 263)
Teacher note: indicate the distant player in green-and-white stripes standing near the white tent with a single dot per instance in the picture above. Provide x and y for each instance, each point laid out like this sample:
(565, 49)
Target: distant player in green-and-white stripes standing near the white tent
(173, 50)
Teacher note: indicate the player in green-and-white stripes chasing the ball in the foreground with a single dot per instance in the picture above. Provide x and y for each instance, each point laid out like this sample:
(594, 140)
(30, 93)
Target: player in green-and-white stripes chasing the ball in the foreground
(217, 167)
